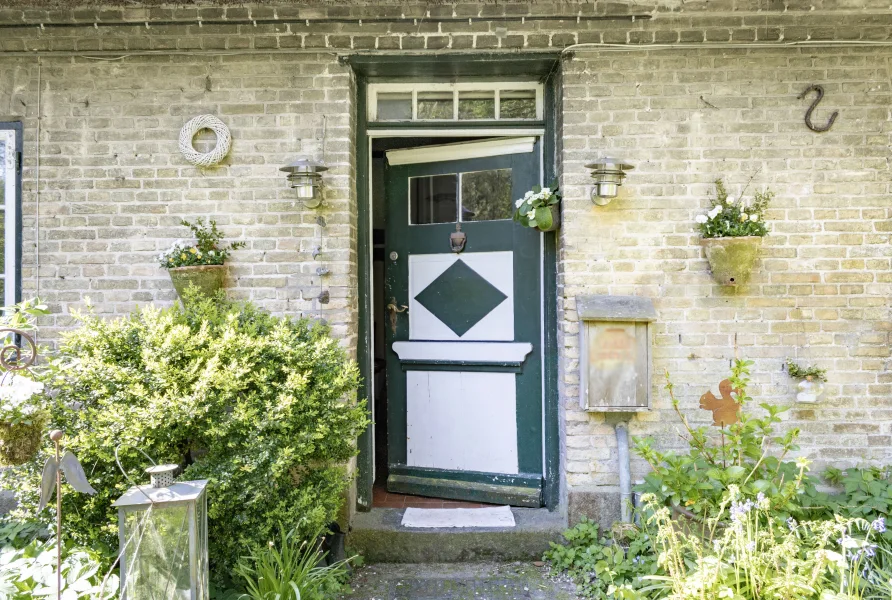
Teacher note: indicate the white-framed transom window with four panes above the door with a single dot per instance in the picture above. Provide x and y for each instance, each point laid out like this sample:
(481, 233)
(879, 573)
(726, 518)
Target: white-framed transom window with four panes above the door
(469, 101)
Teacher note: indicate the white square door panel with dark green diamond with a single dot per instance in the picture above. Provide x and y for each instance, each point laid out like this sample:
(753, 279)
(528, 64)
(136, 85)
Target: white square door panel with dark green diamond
(461, 297)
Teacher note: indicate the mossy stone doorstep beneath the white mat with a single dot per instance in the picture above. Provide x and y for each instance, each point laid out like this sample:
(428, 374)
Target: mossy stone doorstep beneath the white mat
(380, 538)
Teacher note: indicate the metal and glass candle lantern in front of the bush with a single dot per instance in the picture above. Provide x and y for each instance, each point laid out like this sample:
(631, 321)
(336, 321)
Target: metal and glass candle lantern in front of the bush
(162, 529)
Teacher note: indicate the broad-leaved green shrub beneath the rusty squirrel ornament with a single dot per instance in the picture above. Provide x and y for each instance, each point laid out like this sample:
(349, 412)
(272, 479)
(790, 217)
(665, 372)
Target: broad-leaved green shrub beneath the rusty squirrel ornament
(747, 454)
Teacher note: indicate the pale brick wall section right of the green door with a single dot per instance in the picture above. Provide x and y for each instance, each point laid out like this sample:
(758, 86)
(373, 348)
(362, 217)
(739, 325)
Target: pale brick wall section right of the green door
(821, 293)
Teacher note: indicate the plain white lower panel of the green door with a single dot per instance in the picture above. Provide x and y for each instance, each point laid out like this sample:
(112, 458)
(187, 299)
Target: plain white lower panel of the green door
(461, 420)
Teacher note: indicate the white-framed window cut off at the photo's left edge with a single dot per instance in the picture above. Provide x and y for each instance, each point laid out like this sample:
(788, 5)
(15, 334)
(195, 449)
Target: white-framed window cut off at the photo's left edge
(10, 203)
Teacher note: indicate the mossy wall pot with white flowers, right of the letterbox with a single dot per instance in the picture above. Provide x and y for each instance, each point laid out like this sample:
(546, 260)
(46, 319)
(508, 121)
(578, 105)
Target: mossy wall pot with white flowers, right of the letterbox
(732, 234)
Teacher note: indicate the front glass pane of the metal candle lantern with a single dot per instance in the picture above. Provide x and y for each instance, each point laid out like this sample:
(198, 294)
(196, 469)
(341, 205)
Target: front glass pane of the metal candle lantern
(158, 553)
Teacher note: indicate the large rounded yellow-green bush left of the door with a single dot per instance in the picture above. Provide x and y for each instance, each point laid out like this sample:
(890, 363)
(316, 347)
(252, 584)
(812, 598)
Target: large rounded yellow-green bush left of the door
(261, 406)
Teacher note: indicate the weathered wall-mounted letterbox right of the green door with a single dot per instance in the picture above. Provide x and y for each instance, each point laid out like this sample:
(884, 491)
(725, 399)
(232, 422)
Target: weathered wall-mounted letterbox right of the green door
(615, 352)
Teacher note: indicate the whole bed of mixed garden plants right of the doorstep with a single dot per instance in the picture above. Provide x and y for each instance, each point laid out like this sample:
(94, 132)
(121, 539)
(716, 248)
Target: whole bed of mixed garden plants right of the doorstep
(732, 518)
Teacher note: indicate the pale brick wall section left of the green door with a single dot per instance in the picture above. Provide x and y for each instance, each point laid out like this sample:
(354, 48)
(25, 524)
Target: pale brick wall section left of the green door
(113, 185)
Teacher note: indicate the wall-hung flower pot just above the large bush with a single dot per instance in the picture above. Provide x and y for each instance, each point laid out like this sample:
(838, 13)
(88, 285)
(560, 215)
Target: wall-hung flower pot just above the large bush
(200, 264)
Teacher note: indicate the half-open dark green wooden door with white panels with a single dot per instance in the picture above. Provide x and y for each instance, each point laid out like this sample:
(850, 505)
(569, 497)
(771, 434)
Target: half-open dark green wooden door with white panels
(464, 331)
